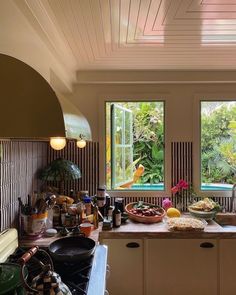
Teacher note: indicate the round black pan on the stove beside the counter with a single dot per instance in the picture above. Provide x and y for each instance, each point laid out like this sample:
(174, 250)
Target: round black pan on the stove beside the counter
(72, 249)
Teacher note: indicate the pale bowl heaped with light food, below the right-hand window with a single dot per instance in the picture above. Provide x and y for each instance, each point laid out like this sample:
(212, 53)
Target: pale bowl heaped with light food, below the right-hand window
(205, 209)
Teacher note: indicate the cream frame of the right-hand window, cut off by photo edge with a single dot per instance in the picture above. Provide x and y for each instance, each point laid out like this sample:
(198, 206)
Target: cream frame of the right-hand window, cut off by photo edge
(227, 97)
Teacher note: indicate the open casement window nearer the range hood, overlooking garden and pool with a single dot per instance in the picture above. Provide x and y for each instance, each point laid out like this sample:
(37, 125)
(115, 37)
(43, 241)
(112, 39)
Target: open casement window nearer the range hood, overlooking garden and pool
(135, 145)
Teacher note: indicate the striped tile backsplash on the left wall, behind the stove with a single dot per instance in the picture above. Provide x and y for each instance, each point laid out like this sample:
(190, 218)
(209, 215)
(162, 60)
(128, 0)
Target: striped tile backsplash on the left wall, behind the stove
(19, 161)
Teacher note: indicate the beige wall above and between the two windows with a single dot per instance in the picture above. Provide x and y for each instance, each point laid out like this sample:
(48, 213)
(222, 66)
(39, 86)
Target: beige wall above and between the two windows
(179, 102)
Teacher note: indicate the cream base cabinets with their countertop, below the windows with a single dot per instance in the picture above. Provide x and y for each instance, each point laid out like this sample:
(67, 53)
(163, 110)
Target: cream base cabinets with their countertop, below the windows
(148, 259)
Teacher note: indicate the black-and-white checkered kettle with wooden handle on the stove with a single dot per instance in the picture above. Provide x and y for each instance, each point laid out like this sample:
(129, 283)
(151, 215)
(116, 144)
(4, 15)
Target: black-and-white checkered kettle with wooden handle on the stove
(48, 281)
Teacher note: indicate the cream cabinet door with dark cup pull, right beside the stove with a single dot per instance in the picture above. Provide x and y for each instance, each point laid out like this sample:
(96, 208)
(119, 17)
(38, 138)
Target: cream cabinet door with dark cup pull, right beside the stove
(125, 258)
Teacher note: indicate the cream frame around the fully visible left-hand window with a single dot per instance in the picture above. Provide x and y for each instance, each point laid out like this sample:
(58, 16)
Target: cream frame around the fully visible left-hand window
(102, 134)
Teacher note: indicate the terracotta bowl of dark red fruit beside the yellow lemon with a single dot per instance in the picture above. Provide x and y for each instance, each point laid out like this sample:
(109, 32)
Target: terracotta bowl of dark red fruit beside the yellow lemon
(144, 212)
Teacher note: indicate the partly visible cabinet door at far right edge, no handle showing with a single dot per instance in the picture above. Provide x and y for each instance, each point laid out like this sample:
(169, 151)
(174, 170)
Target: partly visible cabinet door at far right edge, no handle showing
(227, 257)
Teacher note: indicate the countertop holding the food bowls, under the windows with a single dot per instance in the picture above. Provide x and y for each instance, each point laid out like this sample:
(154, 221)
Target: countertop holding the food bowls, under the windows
(159, 230)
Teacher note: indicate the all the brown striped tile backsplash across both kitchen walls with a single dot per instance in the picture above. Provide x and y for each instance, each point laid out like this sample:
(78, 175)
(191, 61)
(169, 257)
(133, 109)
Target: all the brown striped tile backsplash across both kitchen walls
(21, 160)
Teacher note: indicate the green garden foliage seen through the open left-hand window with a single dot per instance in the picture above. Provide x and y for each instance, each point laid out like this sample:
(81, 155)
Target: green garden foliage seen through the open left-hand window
(147, 140)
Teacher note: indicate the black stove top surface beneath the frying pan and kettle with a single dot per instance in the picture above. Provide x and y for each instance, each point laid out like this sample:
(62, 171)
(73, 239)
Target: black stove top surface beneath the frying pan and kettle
(75, 275)
